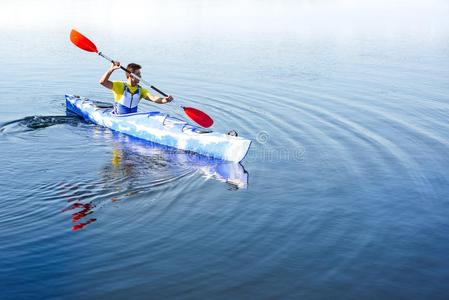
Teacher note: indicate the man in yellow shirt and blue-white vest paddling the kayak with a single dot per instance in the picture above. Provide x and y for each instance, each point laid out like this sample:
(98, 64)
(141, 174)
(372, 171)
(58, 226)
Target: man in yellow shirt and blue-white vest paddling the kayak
(128, 94)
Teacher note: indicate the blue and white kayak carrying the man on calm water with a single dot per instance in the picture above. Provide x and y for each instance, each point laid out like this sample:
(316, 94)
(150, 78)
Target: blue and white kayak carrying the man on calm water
(161, 128)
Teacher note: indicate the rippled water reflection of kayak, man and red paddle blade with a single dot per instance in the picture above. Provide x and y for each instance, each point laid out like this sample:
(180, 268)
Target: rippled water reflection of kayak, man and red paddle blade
(141, 168)
